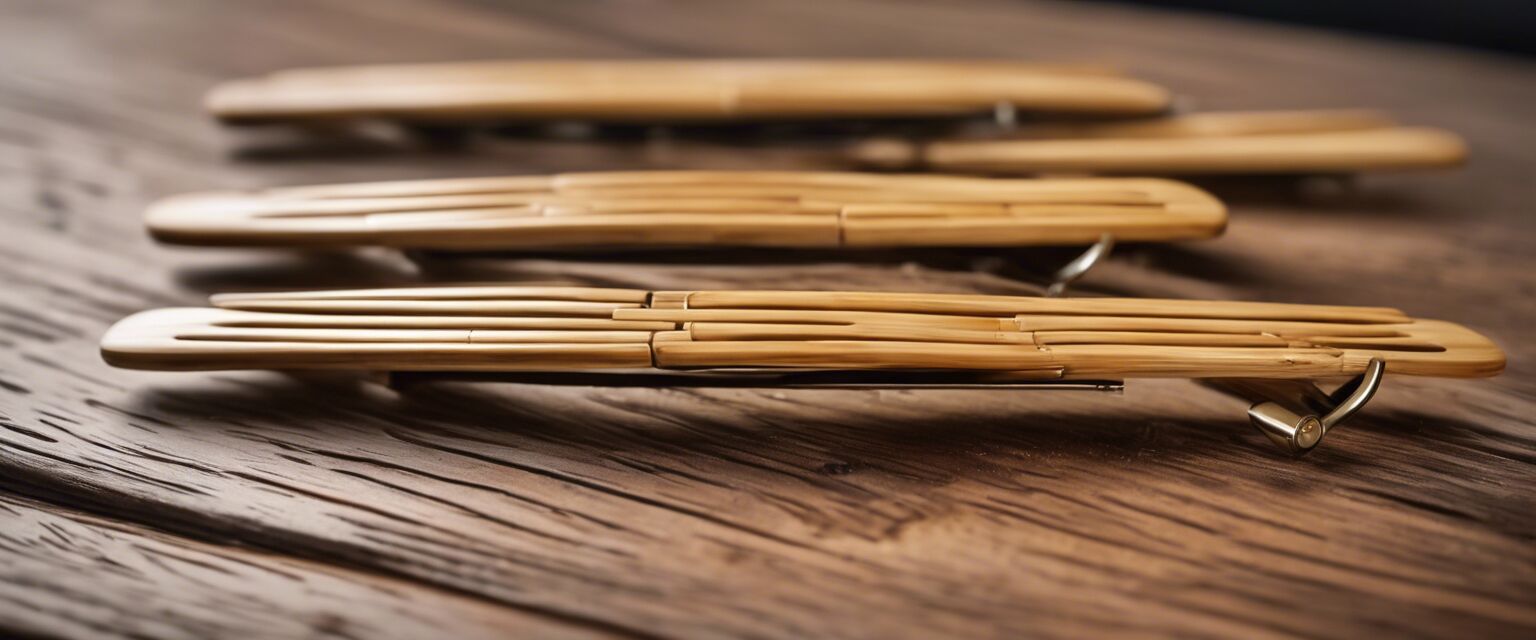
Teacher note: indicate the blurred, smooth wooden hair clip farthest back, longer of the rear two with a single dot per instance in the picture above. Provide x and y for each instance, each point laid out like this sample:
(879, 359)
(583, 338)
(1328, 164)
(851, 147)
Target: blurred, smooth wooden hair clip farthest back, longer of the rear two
(677, 91)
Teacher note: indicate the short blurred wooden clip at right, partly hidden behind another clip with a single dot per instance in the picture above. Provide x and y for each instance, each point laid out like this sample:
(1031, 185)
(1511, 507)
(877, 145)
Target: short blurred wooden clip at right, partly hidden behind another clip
(1303, 142)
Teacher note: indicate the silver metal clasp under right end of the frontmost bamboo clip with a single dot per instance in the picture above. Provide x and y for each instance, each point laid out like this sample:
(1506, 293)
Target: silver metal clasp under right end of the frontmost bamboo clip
(1297, 415)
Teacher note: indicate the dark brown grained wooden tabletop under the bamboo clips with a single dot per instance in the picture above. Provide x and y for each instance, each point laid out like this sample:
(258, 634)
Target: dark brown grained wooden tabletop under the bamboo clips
(325, 506)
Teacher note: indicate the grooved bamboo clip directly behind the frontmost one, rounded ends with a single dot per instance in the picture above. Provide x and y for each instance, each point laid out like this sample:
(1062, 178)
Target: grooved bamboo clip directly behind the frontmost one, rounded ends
(695, 209)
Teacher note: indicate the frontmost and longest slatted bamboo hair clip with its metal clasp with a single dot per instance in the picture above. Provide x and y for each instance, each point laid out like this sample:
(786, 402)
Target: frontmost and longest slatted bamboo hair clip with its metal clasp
(1270, 354)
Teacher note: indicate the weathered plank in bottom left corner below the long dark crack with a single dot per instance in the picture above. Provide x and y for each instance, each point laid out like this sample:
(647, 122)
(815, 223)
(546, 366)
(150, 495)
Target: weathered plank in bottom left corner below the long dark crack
(73, 575)
